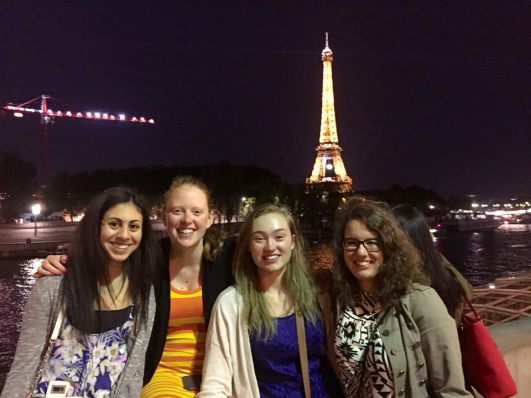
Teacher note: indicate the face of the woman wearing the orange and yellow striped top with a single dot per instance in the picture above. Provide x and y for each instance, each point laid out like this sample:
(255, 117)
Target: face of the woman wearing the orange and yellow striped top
(187, 216)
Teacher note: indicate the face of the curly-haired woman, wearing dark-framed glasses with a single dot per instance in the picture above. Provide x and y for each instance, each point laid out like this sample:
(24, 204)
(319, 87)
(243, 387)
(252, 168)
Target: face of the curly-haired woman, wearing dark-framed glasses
(363, 264)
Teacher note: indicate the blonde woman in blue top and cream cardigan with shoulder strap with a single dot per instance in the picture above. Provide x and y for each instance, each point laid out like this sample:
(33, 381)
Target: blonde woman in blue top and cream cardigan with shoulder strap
(254, 350)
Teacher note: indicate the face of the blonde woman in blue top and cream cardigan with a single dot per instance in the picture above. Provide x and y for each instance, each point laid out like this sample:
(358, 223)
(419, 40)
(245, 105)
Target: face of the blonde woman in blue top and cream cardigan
(271, 243)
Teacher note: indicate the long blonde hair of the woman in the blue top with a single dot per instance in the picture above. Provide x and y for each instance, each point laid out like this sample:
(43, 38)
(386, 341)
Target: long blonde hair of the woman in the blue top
(297, 281)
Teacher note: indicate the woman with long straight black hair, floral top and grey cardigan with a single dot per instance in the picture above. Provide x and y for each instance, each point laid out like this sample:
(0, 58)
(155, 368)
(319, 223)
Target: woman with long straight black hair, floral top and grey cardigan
(100, 313)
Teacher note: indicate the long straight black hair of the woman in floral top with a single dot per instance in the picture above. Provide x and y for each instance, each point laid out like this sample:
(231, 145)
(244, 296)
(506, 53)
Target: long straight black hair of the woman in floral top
(87, 272)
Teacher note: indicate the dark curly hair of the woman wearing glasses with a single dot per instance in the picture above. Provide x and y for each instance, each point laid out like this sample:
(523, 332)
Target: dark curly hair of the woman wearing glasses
(402, 262)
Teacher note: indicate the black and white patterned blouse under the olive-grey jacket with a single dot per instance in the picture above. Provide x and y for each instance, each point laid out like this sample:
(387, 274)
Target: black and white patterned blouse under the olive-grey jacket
(364, 367)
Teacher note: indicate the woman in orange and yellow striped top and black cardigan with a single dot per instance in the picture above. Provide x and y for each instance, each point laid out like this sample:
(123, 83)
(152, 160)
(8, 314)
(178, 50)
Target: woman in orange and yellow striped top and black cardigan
(195, 269)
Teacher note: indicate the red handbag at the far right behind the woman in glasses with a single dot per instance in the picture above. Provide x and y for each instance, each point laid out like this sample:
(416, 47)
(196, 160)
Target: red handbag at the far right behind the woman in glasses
(483, 364)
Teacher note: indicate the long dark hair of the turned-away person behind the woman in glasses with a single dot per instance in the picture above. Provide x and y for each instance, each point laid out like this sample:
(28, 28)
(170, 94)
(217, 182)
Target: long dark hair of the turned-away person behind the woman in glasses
(444, 277)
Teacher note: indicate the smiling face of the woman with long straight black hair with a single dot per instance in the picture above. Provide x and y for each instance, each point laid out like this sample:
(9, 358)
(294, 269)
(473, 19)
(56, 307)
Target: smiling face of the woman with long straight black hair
(121, 232)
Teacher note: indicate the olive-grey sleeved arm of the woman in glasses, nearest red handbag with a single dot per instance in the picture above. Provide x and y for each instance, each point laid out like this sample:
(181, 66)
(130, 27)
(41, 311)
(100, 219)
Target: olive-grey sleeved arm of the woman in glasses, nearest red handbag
(440, 344)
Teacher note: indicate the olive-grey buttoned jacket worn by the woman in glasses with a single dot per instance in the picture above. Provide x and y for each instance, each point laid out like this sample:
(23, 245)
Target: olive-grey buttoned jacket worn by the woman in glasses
(421, 342)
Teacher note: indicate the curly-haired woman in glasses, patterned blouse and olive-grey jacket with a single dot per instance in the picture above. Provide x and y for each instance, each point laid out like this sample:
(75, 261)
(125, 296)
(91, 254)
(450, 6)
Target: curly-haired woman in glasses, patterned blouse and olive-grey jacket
(393, 336)
